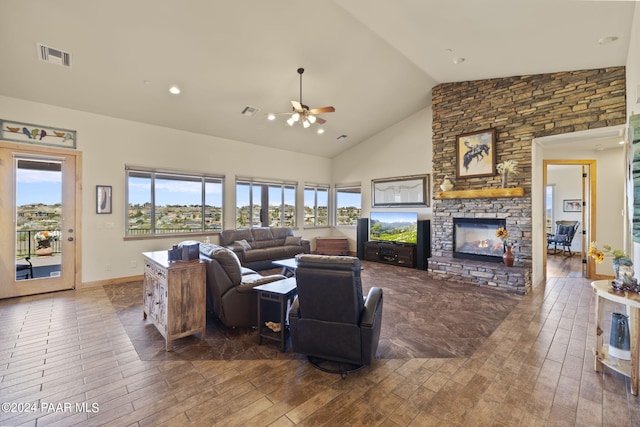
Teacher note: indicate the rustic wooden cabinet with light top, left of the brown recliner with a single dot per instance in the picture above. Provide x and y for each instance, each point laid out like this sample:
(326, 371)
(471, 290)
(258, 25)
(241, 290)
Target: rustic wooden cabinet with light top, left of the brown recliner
(174, 296)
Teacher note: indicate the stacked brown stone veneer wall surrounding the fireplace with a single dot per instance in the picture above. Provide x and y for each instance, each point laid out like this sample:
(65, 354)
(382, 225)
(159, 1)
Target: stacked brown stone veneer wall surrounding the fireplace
(520, 109)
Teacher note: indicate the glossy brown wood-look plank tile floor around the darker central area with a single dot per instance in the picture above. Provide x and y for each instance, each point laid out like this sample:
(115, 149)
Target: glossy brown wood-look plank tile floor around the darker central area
(68, 357)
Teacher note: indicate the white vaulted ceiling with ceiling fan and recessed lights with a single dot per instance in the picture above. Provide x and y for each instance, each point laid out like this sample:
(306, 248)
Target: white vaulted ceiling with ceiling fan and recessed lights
(375, 61)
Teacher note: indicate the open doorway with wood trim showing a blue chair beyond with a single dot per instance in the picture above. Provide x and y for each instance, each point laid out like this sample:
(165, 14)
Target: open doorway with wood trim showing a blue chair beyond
(569, 204)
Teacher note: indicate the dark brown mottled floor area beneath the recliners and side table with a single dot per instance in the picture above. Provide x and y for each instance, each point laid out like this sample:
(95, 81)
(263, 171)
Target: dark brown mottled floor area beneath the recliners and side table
(422, 318)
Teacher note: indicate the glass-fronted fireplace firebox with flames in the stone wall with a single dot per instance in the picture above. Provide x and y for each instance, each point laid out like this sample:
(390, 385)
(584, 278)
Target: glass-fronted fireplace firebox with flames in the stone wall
(475, 238)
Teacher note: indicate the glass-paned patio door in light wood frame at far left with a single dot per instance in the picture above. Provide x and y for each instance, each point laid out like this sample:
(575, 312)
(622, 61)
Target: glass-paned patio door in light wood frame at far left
(39, 219)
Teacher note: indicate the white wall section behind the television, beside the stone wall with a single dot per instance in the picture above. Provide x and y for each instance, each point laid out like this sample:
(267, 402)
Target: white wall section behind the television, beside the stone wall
(401, 150)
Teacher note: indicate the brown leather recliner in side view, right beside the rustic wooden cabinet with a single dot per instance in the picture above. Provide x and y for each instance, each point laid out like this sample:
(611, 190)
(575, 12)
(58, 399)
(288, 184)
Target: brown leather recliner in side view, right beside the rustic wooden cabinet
(230, 294)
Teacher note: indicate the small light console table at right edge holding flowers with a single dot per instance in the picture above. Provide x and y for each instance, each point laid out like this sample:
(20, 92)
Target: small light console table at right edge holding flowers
(603, 291)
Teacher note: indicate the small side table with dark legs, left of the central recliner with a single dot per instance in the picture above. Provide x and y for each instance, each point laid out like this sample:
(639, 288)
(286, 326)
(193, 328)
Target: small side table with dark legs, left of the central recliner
(279, 295)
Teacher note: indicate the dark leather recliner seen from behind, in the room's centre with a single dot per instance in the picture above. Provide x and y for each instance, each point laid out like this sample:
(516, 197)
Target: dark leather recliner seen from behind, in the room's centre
(330, 321)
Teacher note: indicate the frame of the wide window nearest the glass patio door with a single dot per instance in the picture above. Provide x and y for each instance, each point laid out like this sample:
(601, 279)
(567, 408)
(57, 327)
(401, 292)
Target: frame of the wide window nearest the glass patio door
(154, 174)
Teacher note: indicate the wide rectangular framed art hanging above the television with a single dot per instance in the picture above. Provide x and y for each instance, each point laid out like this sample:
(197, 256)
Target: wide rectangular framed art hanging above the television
(400, 191)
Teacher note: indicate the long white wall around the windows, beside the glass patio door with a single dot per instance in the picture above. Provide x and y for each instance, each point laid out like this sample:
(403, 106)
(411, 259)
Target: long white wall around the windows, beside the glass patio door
(107, 144)
